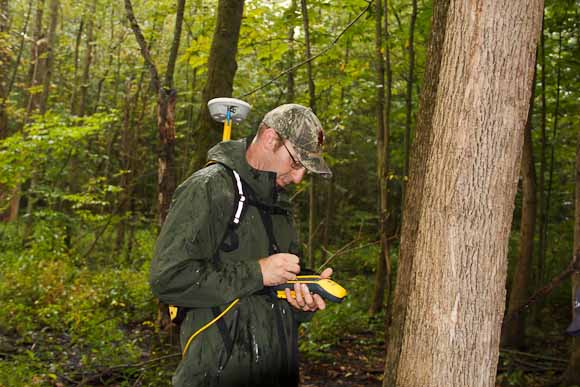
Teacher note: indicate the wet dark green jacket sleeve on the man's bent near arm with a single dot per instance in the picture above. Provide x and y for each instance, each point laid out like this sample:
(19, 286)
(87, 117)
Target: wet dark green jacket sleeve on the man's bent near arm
(183, 271)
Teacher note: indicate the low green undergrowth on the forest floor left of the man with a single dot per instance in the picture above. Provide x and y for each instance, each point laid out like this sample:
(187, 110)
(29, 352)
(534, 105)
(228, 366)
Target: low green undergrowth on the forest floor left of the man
(62, 321)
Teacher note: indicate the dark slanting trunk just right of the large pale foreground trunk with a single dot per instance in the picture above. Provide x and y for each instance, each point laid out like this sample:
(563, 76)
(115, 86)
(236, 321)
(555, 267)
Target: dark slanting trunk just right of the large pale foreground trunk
(513, 332)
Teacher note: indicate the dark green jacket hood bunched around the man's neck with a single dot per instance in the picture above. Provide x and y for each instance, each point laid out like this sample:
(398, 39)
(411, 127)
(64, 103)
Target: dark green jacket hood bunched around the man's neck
(233, 155)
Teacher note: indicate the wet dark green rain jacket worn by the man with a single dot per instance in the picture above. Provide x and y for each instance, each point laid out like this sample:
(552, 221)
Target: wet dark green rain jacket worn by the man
(255, 343)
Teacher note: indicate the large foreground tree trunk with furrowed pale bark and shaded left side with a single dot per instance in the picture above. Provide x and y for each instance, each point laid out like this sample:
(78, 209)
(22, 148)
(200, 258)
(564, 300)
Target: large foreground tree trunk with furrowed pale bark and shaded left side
(463, 177)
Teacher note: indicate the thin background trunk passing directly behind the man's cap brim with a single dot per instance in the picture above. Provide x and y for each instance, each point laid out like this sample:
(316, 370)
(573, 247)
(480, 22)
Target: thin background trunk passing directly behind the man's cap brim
(312, 98)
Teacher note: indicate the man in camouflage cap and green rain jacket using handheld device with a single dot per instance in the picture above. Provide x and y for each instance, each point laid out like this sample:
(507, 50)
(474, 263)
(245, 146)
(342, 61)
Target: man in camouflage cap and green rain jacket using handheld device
(218, 267)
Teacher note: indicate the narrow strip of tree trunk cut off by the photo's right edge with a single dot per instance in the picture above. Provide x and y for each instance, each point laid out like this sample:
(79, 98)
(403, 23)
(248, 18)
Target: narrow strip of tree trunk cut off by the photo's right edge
(572, 375)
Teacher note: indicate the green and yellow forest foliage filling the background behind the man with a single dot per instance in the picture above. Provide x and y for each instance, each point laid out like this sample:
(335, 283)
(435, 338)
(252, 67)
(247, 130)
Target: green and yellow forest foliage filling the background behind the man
(78, 161)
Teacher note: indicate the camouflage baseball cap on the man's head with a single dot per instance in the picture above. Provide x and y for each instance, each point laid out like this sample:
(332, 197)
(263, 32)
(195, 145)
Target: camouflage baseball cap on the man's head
(300, 126)
